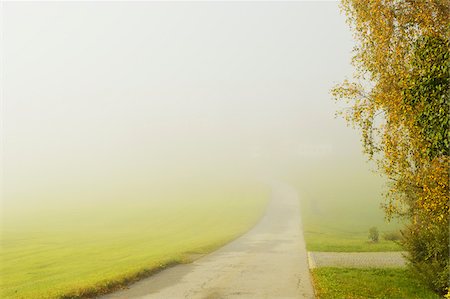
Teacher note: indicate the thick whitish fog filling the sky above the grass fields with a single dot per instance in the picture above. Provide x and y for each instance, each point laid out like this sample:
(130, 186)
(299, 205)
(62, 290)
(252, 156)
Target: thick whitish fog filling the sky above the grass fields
(107, 96)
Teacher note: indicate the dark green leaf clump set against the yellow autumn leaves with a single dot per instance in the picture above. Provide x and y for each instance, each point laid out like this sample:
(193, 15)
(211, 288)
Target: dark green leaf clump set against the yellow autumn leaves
(427, 91)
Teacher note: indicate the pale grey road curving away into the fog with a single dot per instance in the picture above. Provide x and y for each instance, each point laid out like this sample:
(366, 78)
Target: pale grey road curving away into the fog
(269, 261)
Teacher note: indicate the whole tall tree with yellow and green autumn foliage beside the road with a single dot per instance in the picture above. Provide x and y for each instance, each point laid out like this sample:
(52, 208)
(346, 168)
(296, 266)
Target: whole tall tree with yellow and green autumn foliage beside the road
(400, 101)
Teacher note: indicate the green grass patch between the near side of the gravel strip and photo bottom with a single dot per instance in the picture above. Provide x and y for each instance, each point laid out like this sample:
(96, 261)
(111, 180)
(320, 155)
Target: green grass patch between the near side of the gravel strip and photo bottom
(336, 283)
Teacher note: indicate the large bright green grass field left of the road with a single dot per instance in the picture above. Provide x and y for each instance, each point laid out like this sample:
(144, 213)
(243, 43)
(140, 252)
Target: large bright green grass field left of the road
(72, 249)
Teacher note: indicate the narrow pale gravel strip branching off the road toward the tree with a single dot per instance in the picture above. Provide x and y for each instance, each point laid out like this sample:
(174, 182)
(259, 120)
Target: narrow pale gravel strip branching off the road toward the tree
(356, 259)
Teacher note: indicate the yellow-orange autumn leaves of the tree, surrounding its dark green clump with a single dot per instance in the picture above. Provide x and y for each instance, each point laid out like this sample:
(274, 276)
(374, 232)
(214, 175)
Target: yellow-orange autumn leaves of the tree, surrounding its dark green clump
(386, 32)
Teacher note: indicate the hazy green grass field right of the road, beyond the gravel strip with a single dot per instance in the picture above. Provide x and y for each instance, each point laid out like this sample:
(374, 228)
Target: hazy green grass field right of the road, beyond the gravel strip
(340, 203)
